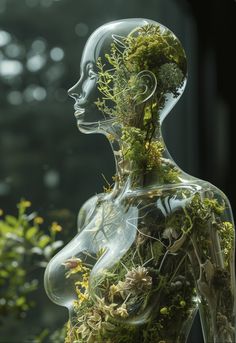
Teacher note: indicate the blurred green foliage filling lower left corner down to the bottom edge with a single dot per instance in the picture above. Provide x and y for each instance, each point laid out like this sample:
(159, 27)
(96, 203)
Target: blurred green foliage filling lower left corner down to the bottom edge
(26, 248)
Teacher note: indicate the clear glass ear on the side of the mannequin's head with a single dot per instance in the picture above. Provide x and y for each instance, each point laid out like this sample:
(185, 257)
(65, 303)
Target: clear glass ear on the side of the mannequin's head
(148, 84)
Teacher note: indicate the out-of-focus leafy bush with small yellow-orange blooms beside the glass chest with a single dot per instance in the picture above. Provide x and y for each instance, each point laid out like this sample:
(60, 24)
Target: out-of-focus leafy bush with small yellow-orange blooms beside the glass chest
(25, 249)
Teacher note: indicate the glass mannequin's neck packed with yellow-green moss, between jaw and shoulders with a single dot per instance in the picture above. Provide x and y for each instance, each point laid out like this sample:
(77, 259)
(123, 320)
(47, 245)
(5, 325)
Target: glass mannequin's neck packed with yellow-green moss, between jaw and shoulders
(141, 161)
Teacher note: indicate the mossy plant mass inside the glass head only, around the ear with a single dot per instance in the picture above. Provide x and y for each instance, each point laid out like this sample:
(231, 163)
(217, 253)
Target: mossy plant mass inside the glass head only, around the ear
(150, 48)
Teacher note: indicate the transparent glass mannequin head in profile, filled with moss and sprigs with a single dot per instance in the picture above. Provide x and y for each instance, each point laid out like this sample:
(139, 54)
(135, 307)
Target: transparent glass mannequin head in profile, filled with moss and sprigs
(128, 68)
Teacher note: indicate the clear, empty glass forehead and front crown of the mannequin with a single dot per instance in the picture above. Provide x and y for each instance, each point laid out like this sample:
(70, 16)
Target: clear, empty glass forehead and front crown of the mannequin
(100, 41)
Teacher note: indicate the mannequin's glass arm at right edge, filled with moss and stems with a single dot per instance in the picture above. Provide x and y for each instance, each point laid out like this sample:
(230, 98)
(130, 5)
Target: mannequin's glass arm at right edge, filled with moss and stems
(212, 258)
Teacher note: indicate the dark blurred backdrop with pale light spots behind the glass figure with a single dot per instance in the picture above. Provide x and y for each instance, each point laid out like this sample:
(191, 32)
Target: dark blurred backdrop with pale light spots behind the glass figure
(45, 159)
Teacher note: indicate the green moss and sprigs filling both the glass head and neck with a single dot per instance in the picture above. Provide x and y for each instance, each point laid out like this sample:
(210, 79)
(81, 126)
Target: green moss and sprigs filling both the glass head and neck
(125, 90)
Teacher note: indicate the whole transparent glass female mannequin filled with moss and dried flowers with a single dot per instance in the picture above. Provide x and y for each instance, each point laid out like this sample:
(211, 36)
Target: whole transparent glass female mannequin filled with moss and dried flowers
(159, 245)
